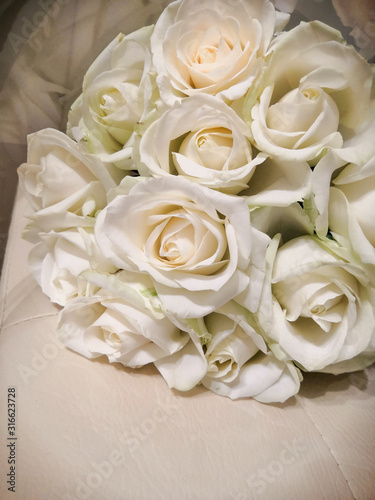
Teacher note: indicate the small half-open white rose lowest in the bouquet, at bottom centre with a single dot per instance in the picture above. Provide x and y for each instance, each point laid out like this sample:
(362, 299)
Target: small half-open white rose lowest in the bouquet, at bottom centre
(238, 365)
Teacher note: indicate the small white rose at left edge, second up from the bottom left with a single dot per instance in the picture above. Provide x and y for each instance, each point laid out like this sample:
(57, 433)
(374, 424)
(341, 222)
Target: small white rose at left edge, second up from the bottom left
(59, 258)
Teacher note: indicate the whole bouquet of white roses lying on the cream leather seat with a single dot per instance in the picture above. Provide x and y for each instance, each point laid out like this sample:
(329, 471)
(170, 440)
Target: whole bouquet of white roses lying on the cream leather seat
(211, 208)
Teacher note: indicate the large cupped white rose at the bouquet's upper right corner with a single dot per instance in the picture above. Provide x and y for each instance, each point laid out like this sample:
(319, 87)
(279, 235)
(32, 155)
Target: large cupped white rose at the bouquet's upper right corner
(316, 94)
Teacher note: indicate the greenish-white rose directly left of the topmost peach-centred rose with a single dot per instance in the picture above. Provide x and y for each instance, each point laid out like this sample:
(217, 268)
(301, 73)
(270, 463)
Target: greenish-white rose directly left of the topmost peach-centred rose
(117, 93)
